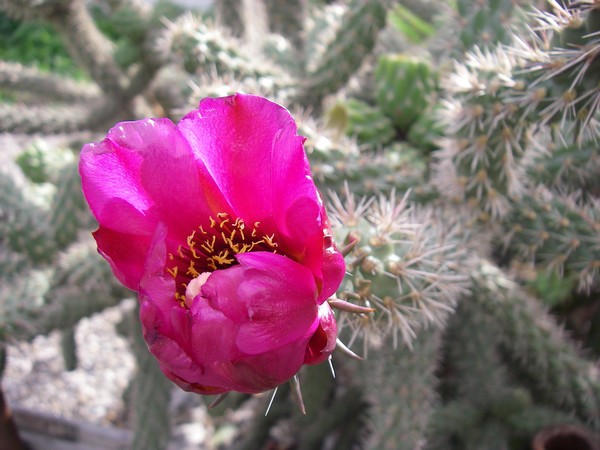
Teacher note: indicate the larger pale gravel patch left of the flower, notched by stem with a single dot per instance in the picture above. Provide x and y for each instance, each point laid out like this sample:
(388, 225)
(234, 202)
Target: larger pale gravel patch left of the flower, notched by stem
(35, 377)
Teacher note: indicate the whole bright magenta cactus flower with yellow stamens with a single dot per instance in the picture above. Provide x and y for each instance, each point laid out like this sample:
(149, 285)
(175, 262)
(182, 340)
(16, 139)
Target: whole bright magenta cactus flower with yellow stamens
(218, 226)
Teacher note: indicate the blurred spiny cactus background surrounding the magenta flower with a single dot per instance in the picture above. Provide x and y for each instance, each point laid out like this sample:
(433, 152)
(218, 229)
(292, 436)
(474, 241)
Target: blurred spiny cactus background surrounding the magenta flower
(455, 142)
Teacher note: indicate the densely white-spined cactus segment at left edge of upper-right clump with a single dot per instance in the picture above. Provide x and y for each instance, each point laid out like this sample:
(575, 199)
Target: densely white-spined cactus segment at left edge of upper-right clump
(485, 138)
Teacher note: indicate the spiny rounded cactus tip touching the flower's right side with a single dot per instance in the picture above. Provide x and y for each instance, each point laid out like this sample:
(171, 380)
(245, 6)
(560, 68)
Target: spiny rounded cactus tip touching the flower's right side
(412, 278)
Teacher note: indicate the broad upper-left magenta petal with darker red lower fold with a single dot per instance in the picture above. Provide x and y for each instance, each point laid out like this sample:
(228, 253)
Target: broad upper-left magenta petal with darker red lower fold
(144, 173)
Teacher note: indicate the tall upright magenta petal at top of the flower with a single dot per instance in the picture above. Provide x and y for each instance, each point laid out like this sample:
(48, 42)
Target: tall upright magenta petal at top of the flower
(251, 148)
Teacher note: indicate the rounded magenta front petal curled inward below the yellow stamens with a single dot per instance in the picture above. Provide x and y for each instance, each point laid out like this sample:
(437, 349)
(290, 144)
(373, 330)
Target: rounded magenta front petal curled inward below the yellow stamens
(272, 297)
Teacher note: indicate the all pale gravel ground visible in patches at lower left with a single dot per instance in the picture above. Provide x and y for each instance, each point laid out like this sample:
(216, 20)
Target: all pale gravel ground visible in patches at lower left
(35, 379)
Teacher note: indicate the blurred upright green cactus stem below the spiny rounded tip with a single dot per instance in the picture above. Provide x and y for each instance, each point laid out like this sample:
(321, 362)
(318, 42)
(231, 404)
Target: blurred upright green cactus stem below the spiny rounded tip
(401, 385)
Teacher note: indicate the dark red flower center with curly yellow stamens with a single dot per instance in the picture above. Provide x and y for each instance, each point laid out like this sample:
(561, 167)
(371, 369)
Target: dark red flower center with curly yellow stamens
(214, 248)
